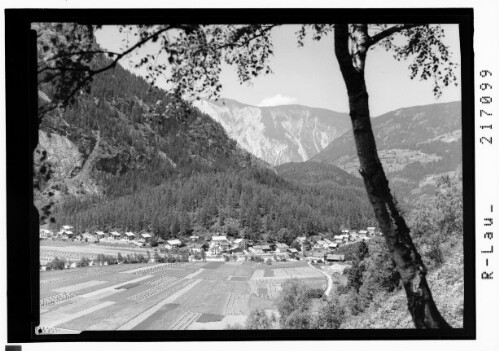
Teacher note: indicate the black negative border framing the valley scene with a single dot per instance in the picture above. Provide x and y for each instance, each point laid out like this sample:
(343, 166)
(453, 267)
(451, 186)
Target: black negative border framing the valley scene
(22, 101)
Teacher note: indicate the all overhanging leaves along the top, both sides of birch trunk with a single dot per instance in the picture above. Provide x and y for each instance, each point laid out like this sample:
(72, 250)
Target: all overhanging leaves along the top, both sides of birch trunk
(189, 57)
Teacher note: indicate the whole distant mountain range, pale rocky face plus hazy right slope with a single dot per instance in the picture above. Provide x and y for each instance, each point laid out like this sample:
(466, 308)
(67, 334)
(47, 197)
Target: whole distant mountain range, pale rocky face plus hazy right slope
(416, 144)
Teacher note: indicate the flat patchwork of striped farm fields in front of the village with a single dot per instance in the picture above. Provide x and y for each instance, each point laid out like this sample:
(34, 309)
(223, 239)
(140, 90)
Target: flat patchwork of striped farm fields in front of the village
(165, 296)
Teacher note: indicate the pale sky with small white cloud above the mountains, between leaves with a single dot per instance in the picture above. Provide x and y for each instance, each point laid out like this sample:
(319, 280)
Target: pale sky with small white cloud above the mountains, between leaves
(310, 75)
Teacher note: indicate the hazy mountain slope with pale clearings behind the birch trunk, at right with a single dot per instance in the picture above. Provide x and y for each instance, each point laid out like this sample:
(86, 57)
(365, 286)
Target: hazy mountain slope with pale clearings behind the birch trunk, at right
(415, 144)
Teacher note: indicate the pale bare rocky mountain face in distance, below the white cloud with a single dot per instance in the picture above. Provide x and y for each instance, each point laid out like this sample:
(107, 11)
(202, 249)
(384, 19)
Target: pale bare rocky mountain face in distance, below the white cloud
(277, 134)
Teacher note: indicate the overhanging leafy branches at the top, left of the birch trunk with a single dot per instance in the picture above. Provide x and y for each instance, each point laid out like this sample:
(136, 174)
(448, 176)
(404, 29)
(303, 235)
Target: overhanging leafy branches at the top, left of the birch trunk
(190, 57)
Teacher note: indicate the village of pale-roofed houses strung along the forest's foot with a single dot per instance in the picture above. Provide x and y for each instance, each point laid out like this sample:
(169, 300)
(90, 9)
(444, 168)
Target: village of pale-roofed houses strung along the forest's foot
(324, 248)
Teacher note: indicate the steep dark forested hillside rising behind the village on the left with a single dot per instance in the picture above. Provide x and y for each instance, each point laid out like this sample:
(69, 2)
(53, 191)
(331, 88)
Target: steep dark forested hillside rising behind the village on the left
(126, 156)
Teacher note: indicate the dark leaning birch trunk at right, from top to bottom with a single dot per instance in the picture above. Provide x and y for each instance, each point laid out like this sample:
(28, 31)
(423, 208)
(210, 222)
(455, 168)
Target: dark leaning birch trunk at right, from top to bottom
(395, 231)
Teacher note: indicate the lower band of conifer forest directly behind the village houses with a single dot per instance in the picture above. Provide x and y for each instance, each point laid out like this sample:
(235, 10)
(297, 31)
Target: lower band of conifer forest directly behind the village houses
(180, 204)
